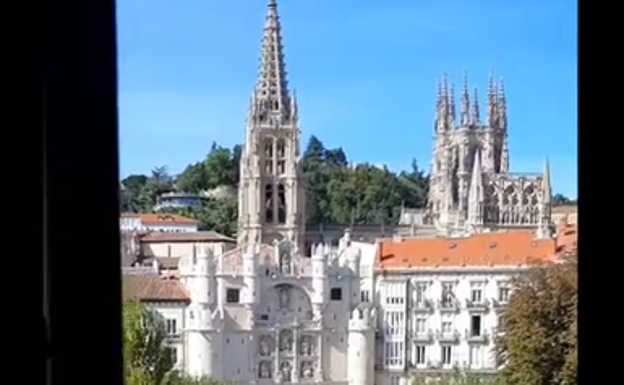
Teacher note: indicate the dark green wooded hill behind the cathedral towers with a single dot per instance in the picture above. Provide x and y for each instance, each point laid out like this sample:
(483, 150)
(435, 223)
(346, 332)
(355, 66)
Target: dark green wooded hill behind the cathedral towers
(336, 191)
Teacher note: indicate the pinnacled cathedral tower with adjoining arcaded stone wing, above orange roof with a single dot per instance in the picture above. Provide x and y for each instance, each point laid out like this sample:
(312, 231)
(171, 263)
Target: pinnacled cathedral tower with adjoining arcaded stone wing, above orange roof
(471, 187)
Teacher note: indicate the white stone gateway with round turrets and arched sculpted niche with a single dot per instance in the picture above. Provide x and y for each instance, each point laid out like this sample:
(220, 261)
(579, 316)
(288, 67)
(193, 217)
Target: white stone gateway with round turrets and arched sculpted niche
(267, 315)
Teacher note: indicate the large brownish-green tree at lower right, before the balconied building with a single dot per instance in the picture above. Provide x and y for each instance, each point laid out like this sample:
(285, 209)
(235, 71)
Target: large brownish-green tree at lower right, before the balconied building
(538, 340)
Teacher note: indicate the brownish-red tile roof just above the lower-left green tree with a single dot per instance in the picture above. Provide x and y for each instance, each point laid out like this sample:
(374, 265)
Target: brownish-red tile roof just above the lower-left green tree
(153, 288)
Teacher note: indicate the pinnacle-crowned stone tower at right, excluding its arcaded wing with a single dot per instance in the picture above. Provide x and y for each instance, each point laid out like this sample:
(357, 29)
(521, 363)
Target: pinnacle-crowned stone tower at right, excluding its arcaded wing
(456, 141)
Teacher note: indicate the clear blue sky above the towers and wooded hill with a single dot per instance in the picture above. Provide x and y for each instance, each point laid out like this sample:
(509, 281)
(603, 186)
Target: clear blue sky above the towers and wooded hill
(365, 72)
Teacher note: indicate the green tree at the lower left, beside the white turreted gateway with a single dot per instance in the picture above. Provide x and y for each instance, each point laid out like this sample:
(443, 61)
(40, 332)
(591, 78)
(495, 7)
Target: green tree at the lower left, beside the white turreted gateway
(146, 357)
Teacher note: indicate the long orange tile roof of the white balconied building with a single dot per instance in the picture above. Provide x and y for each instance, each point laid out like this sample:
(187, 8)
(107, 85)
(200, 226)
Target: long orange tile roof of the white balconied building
(490, 249)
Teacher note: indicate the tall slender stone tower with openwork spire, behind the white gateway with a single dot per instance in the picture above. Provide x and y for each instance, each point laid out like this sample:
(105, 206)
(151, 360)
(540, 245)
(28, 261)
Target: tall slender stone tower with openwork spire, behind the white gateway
(271, 195)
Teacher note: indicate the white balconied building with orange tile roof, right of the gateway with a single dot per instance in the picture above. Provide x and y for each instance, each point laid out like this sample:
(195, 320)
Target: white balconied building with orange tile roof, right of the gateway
(440, 301)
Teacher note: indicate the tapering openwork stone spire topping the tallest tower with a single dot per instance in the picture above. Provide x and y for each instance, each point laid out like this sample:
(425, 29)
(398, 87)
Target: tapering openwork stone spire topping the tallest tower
(271, 89)
